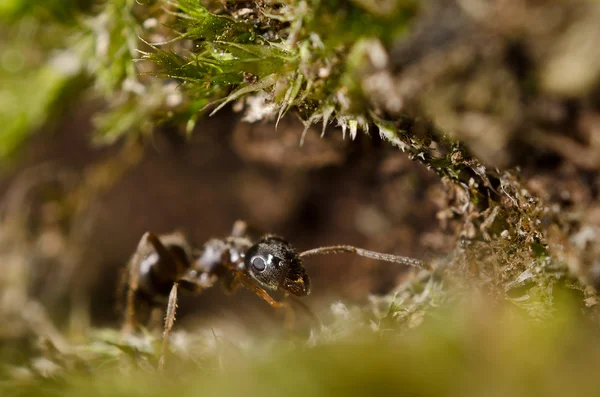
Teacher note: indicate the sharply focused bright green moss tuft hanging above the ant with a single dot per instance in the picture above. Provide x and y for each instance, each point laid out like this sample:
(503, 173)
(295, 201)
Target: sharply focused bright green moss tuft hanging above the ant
(309, 51)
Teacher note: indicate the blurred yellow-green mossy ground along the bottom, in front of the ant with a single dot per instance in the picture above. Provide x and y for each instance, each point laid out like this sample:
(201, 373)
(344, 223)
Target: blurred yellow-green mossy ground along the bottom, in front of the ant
(482, 350)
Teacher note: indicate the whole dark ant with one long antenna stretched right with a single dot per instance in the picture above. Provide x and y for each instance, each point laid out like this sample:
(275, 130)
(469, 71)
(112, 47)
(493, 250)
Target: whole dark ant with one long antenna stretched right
(163, 264)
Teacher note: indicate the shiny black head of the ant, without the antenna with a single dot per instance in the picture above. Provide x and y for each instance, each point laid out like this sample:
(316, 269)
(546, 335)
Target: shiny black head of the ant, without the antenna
(274, 264)
